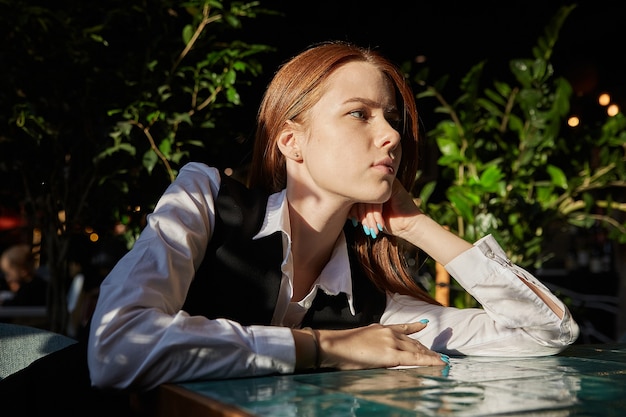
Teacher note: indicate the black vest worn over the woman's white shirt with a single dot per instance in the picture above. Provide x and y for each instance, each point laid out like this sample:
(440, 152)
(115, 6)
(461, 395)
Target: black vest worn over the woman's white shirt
(239, 278)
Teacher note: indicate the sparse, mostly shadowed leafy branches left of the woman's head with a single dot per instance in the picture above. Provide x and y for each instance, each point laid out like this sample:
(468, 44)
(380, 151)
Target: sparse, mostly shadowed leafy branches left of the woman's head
(100, 104)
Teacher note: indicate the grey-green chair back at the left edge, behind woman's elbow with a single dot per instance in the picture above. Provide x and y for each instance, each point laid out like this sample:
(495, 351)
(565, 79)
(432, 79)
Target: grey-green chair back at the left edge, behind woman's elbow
(21, 345)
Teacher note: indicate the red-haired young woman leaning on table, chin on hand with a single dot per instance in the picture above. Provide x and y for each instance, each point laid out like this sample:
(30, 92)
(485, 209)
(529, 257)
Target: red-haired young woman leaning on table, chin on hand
(302, 269)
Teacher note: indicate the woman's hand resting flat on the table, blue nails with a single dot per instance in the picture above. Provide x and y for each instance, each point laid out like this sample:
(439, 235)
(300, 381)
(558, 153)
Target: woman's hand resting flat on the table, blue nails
(375, 346)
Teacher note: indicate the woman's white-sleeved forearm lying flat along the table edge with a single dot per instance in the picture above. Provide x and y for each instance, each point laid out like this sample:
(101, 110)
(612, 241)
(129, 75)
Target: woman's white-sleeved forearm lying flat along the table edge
(153, 348)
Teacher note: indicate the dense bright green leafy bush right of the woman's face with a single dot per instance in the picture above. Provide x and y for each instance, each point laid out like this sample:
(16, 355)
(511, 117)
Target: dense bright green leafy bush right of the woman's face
(507, 167)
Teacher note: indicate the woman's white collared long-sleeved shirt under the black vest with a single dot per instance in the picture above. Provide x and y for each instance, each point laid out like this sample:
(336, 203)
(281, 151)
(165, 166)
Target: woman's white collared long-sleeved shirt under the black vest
(140, 337)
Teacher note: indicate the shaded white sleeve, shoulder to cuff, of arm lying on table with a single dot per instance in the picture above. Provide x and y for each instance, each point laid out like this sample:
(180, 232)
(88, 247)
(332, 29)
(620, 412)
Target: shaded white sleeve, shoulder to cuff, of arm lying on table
(139, 335)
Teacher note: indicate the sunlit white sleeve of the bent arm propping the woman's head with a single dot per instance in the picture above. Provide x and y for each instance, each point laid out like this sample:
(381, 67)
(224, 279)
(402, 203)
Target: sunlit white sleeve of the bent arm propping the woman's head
(513, 320)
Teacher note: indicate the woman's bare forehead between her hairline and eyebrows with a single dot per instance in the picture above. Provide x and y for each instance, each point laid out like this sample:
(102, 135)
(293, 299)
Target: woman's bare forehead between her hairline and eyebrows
(360, 79)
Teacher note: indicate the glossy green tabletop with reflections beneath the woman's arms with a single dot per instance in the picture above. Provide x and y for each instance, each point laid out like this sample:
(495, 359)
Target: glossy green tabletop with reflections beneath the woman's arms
(587, 380)
